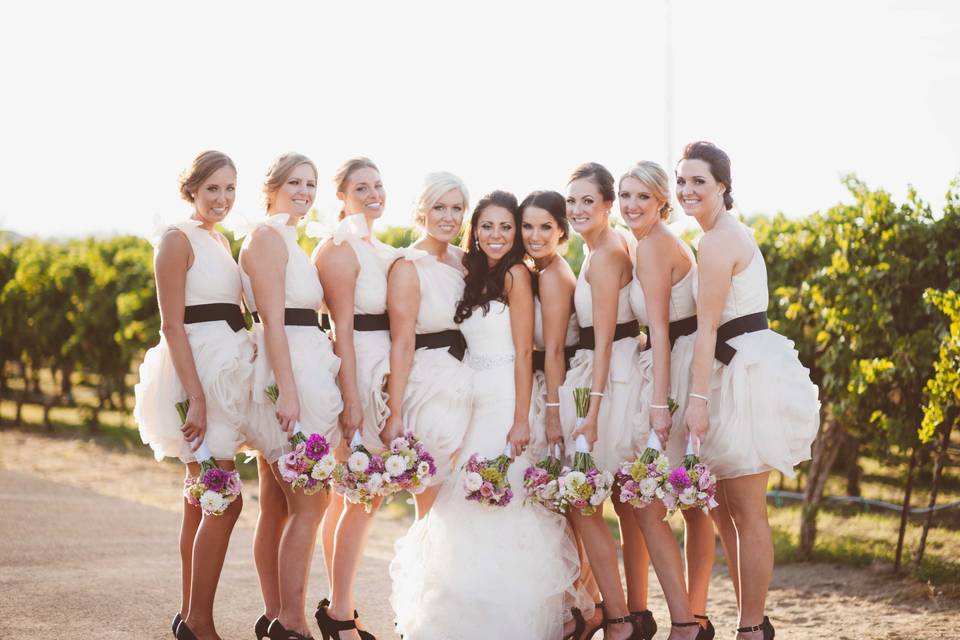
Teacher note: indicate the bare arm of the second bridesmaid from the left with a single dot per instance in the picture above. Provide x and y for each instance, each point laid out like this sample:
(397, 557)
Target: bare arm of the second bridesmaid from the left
(264, 260)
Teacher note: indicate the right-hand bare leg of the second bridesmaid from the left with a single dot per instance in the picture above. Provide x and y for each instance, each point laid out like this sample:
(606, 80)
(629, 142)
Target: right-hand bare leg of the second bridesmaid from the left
(296, 553)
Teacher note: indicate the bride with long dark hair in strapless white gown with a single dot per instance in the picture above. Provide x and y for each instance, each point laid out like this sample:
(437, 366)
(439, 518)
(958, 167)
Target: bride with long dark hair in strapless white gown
(464, 571)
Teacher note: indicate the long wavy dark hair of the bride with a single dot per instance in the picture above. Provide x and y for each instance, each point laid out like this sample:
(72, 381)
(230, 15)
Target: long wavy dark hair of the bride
(483, 283)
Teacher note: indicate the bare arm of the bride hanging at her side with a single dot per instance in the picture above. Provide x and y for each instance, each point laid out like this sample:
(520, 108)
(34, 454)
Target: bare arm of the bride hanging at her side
(520, 300)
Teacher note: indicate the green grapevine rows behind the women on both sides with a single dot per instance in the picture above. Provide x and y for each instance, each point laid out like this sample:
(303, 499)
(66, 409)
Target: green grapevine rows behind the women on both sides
(867, 290)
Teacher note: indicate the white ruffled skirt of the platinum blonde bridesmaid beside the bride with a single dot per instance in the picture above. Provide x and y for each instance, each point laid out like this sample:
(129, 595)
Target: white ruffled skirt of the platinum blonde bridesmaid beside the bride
(436, 405)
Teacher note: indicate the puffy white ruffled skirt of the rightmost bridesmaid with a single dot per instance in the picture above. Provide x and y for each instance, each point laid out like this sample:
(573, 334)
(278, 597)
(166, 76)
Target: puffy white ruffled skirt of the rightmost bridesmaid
(764, 410)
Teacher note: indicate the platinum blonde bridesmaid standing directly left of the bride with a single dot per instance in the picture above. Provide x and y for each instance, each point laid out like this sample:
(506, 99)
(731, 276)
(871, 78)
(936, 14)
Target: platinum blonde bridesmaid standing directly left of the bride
(429, 386)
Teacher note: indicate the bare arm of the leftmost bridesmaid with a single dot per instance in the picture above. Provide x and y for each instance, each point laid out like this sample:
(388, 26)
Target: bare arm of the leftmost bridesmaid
(174, 257)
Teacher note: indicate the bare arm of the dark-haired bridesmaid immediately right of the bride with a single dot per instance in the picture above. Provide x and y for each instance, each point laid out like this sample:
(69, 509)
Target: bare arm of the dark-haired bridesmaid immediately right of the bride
(556, 304)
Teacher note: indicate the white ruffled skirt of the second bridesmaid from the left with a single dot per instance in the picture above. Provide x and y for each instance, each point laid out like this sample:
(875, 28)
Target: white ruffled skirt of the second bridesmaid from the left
(315, 368)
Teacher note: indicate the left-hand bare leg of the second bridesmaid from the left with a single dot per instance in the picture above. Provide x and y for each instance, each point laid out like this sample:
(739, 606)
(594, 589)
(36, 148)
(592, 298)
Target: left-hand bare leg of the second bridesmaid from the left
(266, 539)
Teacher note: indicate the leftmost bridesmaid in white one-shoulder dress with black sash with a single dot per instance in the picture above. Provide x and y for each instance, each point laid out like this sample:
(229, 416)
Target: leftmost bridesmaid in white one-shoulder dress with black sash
(204, 356)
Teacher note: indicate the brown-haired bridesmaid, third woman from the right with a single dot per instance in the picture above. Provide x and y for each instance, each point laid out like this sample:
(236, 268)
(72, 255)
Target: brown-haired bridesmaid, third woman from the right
(609, 337)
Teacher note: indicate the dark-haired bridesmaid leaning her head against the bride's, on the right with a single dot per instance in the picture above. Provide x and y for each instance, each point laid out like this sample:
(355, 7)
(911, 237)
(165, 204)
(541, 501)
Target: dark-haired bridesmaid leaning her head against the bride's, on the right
(544, 229)
